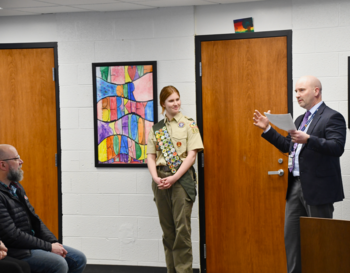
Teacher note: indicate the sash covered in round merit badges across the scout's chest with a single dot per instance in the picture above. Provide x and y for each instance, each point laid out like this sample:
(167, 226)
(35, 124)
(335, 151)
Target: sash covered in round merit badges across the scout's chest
(166, 146)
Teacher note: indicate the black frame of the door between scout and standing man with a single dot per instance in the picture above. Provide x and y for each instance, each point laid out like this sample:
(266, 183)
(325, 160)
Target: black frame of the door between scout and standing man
(199, 104)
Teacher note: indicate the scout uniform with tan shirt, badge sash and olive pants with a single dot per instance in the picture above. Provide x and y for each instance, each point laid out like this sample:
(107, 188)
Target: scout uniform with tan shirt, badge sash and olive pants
(171, 141)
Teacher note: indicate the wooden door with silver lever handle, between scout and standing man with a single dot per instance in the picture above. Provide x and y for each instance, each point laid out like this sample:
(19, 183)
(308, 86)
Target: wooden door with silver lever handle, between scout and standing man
(244, 206)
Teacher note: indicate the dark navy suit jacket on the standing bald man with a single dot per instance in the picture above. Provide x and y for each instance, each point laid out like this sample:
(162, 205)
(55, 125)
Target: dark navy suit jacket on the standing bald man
(319, 163)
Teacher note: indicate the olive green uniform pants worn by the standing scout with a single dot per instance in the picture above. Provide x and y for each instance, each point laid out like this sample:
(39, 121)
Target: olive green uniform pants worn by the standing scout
(174, 210)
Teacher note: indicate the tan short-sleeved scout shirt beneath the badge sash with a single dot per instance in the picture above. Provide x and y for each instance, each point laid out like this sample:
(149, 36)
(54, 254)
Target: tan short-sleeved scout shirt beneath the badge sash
(184, 135)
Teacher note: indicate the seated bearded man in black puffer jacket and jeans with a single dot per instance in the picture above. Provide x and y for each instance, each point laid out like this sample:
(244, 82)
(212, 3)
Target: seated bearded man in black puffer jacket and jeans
(25, 235)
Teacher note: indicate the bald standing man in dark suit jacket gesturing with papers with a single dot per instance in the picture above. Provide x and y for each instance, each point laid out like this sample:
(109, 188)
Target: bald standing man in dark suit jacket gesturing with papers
(314, 180)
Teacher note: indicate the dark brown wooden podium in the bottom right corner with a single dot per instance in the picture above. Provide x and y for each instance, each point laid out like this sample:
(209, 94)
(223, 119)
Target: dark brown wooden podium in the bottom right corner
(325, 245)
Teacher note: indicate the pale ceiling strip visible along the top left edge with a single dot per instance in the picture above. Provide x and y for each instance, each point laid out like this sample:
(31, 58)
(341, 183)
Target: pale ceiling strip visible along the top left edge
(37, 7)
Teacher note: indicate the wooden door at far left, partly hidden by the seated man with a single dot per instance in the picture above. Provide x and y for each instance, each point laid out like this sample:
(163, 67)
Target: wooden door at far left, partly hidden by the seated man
(28, 122)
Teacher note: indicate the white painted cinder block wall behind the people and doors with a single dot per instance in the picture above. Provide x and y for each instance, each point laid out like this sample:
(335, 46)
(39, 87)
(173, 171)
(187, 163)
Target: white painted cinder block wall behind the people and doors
(116, 222)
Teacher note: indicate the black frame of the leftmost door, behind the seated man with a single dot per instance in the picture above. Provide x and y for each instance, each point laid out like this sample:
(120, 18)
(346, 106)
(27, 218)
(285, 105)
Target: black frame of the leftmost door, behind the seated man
(52, 45)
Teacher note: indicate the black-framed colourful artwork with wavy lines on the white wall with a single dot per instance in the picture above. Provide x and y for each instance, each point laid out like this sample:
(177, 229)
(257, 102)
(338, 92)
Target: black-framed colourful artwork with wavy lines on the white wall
(125, 109)
